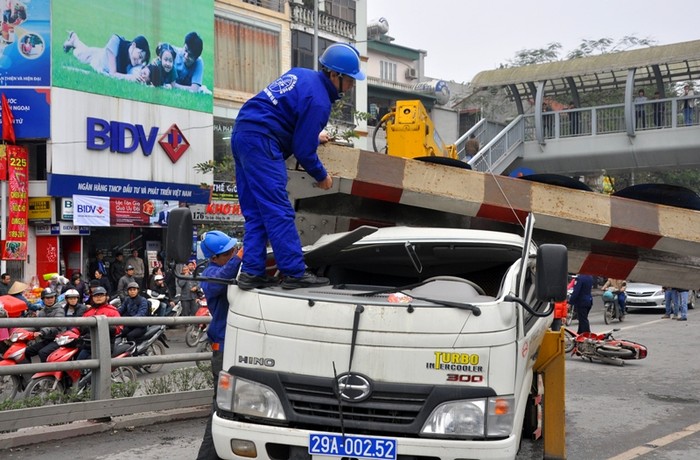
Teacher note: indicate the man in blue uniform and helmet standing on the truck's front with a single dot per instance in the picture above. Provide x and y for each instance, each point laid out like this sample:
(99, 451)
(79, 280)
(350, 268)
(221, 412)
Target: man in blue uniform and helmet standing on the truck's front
(285, 119)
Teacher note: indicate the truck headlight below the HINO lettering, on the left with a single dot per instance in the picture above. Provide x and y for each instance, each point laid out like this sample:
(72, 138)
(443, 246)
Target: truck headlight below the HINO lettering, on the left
(245, 397)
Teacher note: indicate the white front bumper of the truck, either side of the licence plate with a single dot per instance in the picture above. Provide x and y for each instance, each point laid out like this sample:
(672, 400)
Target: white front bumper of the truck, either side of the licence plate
(224, 431)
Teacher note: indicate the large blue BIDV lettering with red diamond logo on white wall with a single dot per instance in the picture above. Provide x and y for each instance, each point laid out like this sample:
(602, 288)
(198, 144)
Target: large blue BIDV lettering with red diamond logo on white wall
(123, 137)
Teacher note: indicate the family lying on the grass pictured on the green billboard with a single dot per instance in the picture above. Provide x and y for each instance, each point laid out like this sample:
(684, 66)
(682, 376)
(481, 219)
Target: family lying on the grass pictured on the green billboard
(172, 67)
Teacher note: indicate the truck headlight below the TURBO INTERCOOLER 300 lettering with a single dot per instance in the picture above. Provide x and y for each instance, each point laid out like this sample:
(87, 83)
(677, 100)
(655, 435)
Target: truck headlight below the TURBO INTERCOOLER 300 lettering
(472, 418)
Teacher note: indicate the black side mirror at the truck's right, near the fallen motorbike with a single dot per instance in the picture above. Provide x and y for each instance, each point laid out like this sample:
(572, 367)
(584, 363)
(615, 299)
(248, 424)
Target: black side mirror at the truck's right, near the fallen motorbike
(552, 270)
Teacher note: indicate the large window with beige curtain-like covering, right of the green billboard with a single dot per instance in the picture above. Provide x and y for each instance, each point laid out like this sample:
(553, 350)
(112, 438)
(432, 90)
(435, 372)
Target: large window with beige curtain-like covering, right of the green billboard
(247, 55)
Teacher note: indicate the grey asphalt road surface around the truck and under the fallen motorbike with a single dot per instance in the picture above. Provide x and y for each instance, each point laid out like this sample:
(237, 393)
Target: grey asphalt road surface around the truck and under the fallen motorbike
(647, 409)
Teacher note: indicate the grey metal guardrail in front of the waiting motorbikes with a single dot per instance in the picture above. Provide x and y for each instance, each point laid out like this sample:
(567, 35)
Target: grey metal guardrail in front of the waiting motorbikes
(101, 405)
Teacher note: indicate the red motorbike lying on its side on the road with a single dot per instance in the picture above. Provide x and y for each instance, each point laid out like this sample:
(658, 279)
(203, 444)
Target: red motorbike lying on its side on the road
(602, 347)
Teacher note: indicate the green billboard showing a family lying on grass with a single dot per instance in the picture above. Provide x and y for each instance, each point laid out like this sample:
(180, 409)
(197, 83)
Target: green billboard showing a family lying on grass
(160, 52)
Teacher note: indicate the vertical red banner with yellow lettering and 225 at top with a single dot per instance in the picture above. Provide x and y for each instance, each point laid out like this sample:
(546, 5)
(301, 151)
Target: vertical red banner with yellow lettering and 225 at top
(15, 247)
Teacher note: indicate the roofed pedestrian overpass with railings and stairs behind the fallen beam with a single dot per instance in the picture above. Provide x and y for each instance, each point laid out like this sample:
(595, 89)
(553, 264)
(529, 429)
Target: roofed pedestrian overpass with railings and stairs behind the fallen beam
(659, 133)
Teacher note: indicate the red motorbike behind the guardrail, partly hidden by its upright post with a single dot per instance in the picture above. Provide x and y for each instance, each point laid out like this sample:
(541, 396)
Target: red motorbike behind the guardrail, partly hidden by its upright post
(43, 384)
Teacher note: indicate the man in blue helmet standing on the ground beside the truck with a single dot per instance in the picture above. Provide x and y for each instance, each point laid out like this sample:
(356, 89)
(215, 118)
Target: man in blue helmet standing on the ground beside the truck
(224, 263)
